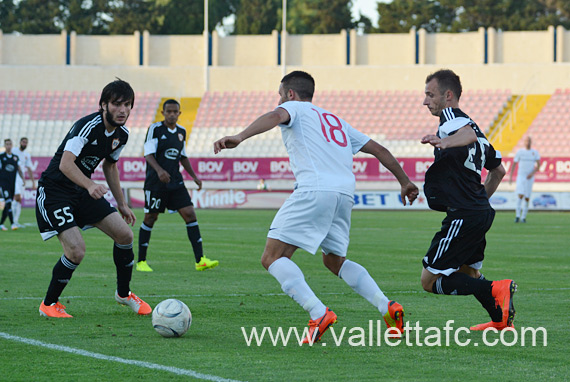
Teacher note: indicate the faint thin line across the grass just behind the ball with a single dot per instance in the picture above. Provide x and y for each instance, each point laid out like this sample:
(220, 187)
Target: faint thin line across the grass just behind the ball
(249, 294)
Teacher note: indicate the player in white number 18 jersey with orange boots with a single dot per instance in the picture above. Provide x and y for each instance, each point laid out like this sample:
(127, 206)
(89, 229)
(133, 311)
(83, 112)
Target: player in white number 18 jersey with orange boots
(320, 147)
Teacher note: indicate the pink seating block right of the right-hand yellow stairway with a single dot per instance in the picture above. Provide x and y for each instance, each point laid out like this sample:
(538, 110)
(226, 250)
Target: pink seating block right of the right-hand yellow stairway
(550, 131)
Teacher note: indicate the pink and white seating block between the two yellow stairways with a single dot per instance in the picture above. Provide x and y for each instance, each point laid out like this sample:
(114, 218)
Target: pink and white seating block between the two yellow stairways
(397, 119)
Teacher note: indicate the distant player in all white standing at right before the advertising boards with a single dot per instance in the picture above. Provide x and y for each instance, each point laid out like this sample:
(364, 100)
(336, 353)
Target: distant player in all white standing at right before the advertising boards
(529, 162)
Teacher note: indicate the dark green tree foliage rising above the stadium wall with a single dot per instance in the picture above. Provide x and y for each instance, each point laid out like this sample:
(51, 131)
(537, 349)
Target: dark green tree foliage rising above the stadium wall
(264, 16)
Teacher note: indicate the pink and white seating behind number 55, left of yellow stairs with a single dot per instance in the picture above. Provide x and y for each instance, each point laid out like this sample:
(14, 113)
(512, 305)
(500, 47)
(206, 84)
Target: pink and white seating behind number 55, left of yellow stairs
(45, 117)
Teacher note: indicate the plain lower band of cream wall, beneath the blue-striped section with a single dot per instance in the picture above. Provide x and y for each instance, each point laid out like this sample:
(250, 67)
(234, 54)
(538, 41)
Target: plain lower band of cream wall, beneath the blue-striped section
(190, 81)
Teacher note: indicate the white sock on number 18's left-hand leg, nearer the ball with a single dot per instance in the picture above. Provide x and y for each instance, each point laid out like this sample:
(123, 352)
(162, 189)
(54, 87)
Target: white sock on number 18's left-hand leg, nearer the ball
(293, 284)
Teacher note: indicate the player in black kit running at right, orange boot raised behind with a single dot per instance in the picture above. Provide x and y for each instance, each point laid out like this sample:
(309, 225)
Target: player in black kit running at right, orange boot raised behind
(453, 185)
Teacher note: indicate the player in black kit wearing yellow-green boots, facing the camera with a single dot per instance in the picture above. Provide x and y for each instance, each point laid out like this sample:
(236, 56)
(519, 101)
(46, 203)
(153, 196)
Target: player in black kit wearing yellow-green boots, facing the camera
(165, 151)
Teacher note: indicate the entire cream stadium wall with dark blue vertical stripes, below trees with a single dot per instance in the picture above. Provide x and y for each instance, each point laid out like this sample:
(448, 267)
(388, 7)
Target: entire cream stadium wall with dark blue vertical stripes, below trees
(525, 62)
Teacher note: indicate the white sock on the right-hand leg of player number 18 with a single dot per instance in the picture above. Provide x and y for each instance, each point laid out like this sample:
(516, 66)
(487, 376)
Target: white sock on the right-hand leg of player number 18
(358, 278)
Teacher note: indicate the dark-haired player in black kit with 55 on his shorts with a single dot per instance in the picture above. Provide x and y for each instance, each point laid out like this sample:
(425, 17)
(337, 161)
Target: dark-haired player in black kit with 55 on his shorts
(67, 198)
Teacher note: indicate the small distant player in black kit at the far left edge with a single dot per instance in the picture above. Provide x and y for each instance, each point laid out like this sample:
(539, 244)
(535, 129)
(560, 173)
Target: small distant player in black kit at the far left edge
(9, 171)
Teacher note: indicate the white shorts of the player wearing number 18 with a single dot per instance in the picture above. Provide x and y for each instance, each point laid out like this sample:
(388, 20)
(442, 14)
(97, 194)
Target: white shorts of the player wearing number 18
(310, 219)
